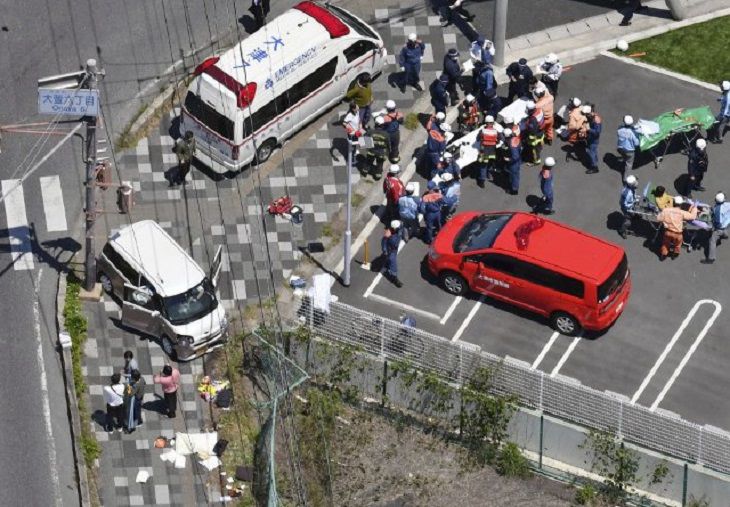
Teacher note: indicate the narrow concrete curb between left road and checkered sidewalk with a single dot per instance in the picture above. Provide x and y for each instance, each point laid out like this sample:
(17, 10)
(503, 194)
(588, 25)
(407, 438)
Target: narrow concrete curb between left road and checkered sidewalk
(73, 405)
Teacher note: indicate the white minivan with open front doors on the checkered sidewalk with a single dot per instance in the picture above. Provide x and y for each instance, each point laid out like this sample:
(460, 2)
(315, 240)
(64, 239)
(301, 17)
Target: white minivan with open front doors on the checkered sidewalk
(164, 293)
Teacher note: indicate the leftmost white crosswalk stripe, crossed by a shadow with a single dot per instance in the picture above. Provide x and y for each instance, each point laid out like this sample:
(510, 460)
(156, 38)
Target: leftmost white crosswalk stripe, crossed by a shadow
(21, 249)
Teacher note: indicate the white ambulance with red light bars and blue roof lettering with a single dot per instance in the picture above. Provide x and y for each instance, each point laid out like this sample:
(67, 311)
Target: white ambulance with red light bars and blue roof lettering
(244, 103)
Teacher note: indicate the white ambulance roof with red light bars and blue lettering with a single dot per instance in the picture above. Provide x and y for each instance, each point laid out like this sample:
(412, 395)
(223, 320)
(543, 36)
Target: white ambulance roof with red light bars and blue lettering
(273, 54)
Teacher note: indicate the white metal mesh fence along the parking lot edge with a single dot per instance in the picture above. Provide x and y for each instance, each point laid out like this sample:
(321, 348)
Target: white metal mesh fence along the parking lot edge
(558, 396)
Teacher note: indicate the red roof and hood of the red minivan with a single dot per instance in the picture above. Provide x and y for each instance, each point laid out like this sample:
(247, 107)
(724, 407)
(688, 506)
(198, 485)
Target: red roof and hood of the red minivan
(552, 244)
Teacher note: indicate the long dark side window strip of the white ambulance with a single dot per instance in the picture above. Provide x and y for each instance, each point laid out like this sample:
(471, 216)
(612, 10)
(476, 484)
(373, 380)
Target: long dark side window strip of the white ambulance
(289, 98)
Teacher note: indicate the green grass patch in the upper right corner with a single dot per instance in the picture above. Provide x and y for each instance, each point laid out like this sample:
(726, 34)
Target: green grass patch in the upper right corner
(699, 50)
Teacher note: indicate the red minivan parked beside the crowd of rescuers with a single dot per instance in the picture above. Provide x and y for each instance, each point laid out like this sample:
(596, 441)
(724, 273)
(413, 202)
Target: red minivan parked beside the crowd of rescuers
(575, 279)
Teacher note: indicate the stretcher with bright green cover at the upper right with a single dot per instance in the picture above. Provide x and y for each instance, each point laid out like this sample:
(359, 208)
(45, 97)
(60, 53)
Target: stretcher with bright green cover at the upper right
(656, 135)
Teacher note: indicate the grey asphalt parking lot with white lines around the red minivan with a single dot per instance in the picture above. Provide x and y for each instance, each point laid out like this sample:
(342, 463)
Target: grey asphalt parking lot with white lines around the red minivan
(668, 349)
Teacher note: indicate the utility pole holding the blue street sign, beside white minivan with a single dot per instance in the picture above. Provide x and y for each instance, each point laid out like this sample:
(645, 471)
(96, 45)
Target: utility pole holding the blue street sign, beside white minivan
(90, 209)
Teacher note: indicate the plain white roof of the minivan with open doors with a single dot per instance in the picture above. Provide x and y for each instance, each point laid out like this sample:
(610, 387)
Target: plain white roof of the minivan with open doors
(159, 258)
